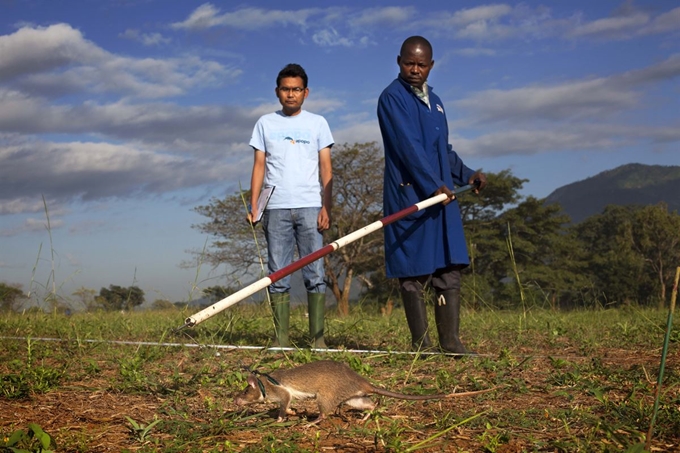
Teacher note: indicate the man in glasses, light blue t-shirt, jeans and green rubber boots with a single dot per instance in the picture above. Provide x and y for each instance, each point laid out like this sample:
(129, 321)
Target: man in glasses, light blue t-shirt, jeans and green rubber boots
(292, 150)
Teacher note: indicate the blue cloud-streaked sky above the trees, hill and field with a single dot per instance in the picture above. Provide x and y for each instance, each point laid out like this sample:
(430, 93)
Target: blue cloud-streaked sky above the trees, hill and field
(124, 115)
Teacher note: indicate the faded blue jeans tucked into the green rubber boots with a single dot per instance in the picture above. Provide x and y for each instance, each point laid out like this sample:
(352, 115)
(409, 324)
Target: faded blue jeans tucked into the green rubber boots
(284, 229)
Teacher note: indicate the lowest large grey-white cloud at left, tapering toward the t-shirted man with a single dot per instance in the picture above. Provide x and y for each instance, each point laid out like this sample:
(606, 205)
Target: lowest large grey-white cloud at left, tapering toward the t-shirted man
(89, 171)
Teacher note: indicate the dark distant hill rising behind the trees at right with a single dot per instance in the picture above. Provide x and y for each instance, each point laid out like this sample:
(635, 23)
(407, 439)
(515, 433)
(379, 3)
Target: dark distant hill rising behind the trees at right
(631, 184)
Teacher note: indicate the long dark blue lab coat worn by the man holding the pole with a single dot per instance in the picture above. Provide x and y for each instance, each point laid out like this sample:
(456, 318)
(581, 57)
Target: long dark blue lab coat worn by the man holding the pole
(419, 160)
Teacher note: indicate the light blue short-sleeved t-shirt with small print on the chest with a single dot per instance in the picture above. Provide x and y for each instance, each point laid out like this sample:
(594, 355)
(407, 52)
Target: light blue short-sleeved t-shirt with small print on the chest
(291, 145)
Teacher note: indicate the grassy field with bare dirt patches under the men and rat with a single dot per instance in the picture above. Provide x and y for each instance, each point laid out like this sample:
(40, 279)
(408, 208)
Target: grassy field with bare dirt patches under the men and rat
(581, 381)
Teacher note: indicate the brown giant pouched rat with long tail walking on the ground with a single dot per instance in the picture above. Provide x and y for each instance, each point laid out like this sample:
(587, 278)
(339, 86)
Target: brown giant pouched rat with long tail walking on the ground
(331, 383)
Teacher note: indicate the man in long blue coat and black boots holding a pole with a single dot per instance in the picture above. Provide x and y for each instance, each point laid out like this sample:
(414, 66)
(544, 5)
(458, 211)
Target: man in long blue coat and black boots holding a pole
(428, 246)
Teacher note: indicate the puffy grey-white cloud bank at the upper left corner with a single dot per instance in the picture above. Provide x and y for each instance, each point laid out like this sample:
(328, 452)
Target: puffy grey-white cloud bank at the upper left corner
(57, 60)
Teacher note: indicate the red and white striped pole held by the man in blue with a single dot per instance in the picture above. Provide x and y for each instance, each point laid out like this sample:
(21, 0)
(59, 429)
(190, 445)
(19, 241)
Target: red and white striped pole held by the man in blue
(254, 287)
